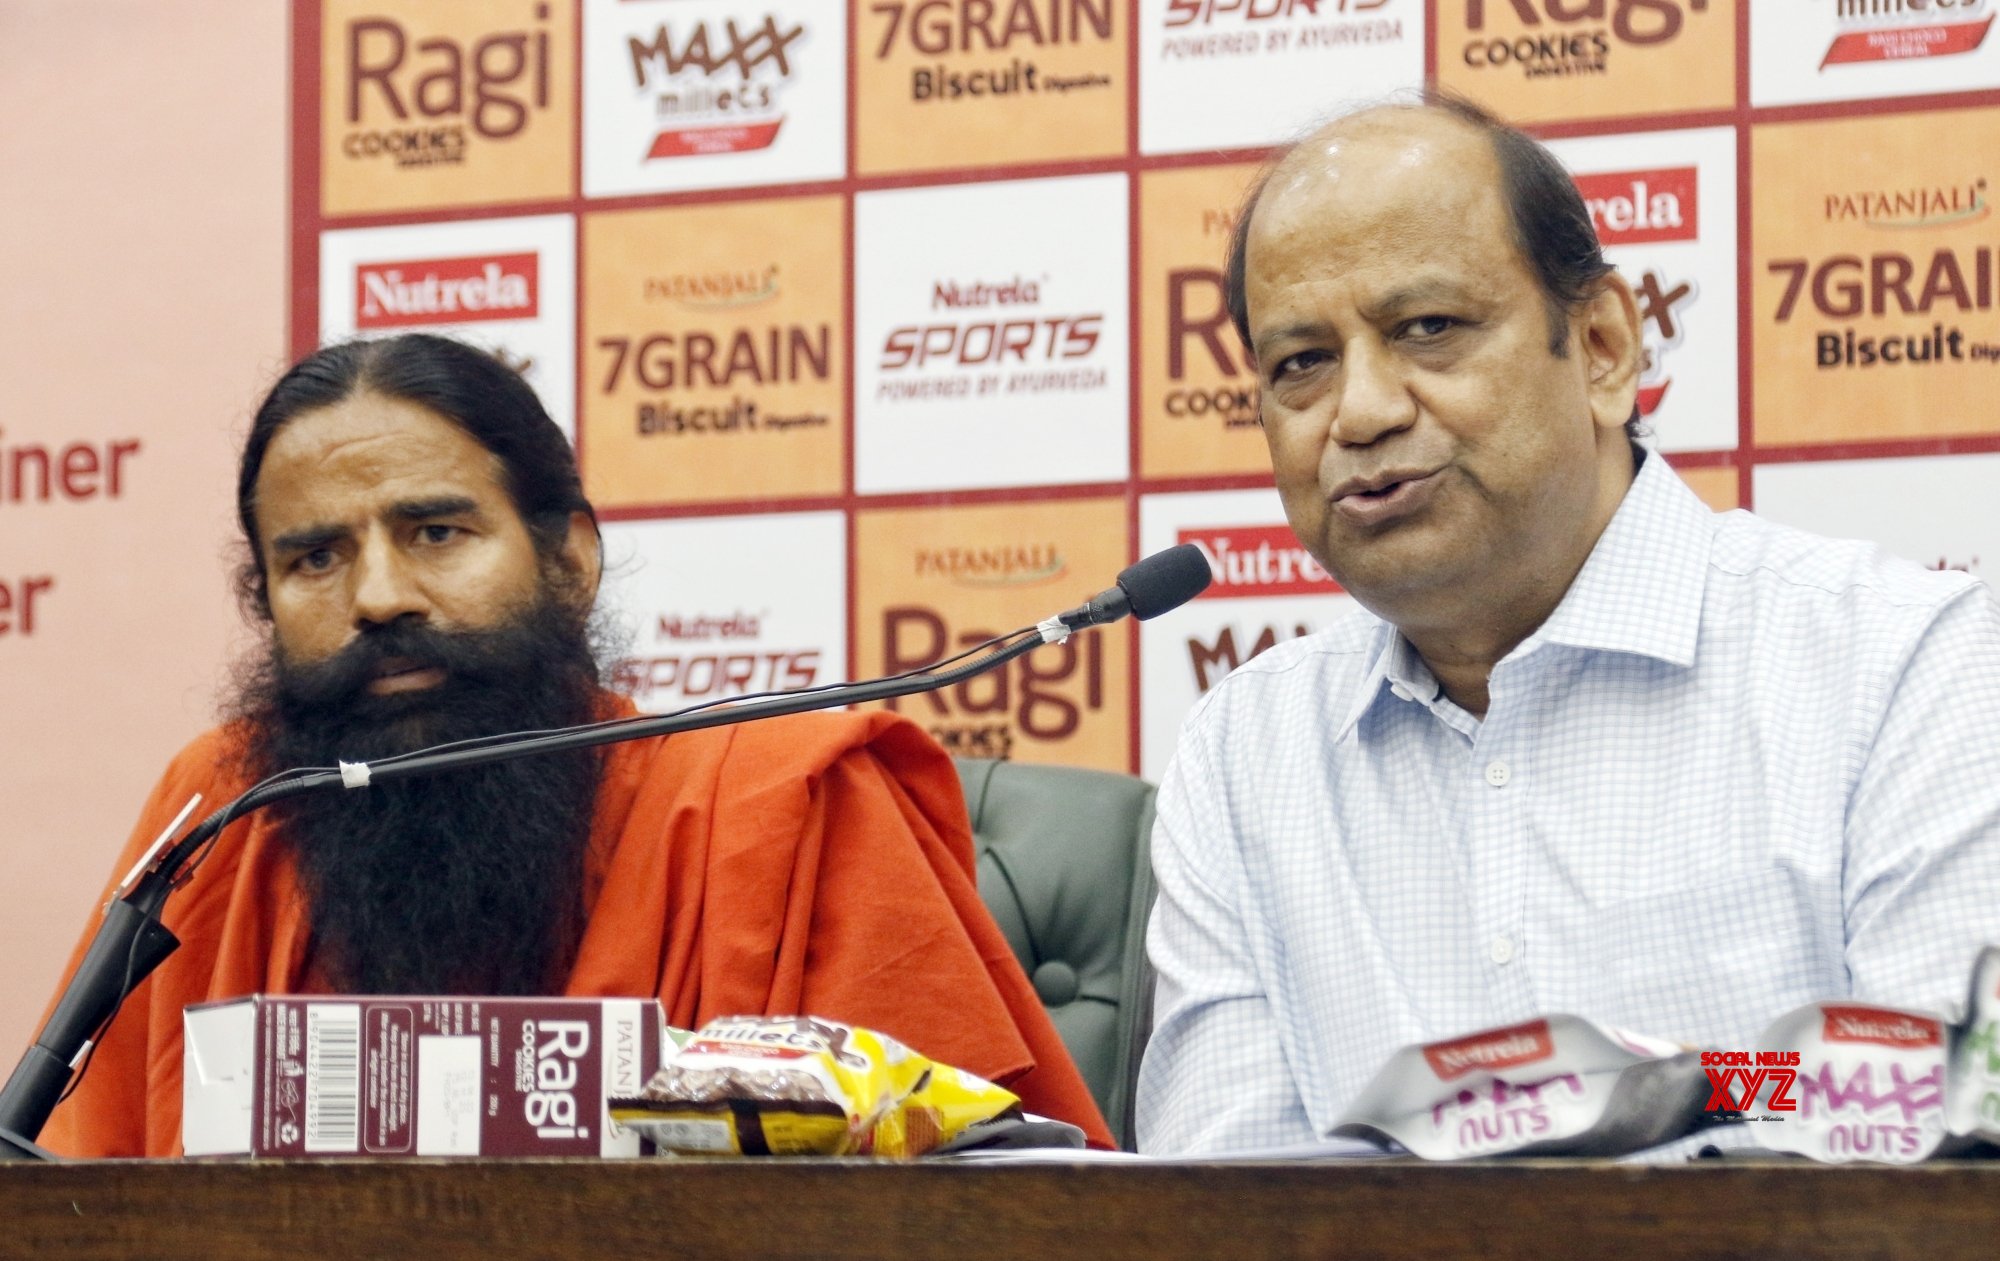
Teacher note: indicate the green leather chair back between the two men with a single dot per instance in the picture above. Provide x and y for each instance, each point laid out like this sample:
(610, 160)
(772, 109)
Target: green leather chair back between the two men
(1065, 872)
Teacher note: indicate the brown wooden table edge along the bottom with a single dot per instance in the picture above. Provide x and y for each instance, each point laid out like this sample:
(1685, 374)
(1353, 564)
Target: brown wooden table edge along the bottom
(829, 1210)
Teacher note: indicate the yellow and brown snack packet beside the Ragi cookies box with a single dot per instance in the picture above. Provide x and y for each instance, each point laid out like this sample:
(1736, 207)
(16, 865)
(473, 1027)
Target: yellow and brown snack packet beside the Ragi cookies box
(799, 1086)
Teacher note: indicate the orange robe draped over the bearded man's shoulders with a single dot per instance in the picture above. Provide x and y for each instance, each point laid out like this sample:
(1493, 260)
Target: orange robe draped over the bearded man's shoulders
(799, 866)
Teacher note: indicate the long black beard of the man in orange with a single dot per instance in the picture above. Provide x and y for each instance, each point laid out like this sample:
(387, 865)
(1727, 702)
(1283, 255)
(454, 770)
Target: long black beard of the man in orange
(459, 884)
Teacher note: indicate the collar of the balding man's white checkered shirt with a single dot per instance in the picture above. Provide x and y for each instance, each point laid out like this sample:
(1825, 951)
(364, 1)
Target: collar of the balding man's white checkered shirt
(1641, 591)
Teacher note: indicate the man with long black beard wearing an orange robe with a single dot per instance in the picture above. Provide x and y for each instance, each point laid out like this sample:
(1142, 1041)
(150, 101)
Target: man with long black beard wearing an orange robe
(427, 563)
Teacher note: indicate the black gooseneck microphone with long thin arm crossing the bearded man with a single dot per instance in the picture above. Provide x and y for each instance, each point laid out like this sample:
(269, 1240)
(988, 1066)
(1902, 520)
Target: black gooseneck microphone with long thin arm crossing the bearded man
(133, 942)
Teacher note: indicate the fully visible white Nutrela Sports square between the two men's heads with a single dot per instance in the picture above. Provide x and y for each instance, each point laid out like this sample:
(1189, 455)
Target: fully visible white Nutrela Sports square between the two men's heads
(991, 343)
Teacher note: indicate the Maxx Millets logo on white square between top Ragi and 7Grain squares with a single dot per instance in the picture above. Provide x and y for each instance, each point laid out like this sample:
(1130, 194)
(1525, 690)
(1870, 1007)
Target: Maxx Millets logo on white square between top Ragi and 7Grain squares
(715, 91)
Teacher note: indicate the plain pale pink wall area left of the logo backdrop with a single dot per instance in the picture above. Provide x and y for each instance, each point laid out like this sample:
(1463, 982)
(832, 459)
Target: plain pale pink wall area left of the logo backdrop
(143, 241)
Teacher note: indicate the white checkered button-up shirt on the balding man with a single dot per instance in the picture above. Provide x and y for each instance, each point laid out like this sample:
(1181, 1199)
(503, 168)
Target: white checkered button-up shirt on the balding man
(1737, 770)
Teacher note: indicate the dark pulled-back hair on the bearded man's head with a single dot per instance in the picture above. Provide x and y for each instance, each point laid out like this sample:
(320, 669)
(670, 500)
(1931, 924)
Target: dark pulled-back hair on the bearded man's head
(461, 383)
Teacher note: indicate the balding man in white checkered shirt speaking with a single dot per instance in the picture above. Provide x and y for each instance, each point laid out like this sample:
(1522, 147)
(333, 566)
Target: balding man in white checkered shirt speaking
(1587, 746)
